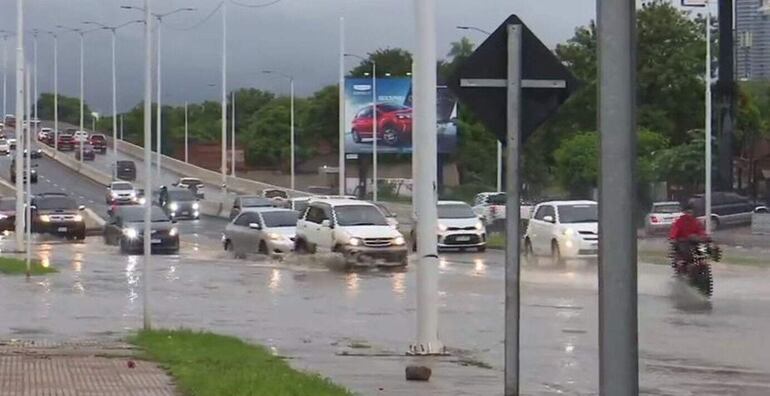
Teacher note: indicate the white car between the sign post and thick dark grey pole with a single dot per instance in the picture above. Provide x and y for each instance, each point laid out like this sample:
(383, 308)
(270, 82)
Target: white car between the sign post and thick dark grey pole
(563, 230)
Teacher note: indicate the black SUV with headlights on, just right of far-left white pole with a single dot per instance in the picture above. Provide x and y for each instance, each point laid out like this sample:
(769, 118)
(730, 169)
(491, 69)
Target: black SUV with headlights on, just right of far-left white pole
(58, 214)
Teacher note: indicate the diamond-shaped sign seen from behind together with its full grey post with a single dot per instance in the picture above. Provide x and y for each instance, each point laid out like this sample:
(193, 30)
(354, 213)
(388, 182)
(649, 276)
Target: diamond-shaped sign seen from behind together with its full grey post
(516, 97)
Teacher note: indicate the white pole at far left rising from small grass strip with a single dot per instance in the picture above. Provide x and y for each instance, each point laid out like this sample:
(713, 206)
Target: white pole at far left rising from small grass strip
(19, 226)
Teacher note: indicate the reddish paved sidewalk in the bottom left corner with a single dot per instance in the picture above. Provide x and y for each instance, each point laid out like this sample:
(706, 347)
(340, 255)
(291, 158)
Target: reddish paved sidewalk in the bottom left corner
(31, 368)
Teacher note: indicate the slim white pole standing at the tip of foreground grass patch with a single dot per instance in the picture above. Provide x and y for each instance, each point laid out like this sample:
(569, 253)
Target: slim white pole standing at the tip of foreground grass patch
(147, 163)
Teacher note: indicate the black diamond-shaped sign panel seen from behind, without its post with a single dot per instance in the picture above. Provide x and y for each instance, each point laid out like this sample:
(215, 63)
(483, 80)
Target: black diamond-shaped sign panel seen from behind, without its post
(480, 81)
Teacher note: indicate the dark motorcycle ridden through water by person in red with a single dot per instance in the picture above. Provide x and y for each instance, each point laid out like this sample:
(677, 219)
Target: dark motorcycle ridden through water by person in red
(695, 268)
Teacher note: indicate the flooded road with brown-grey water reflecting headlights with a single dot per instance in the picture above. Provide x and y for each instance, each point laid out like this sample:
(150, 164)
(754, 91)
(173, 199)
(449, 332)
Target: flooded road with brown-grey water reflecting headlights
(355, 326)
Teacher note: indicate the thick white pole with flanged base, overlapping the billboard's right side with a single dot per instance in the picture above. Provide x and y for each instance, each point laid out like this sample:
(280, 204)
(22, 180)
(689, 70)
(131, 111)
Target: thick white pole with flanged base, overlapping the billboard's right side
(425, 178)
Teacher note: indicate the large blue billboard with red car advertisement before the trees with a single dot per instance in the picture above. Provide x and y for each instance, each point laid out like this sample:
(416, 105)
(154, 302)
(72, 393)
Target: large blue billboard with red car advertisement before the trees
(394, 117)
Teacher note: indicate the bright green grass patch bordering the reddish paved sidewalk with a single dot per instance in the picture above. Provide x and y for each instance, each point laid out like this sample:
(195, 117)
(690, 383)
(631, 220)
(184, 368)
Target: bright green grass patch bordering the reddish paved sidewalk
(206, 364)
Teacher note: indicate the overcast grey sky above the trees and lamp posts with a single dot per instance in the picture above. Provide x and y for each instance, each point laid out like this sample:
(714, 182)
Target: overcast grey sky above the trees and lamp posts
(298, 37)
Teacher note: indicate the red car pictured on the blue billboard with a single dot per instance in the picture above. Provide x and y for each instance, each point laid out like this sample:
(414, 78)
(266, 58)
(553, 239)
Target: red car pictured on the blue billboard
(394, 124)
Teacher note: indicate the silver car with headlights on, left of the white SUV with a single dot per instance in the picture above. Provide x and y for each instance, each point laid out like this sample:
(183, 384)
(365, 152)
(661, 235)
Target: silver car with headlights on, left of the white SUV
(261, 230)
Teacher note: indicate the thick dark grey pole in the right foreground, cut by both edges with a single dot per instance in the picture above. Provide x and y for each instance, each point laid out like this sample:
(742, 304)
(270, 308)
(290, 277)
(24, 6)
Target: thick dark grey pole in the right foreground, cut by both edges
(618, 339)
